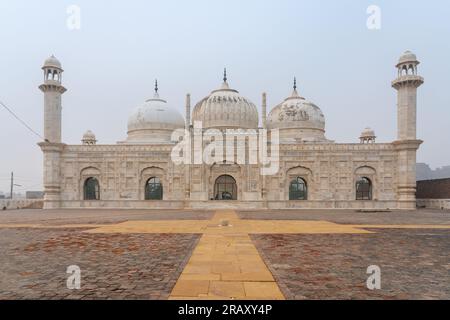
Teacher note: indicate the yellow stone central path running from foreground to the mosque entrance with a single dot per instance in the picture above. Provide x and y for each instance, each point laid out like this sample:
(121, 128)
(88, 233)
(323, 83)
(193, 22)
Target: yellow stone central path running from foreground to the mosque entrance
(226, 265)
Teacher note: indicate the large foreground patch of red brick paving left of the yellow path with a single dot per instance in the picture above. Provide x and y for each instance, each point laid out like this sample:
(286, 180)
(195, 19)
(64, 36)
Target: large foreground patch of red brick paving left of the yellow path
(33, 264)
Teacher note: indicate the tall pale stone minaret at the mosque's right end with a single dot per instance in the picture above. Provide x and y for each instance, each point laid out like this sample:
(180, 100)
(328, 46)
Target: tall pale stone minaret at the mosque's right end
(407, 144)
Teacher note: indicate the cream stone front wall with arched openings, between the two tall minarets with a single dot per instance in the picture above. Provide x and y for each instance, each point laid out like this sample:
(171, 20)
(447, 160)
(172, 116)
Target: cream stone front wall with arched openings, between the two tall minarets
(329, 170)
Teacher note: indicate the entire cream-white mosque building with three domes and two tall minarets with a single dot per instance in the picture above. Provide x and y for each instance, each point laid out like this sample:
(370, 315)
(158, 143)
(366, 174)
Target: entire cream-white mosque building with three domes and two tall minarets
(314, 172)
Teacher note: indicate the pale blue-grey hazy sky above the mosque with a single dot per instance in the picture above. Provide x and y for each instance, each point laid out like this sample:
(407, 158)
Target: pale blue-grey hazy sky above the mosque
(111, 63)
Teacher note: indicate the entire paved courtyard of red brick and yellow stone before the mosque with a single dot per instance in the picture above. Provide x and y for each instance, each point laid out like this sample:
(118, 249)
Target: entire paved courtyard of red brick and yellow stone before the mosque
(149, 254)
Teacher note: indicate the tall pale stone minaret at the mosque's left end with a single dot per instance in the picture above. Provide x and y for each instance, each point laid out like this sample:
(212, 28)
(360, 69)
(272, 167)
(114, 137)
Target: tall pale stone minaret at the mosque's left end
(52, 146)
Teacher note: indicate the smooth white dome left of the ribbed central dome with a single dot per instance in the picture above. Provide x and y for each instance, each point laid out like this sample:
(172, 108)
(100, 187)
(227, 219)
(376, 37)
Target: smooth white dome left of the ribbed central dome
(153, 121)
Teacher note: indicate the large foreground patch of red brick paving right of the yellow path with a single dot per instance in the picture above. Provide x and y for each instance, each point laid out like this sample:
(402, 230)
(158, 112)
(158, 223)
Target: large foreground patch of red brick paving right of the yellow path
(415, 264)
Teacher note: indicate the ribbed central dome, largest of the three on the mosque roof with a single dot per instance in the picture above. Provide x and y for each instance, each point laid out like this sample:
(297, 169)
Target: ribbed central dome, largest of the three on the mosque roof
(226, 108)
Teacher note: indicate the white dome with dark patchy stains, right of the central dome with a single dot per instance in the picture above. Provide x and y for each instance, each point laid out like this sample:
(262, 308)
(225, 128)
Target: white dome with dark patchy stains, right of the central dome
(299, 118)
